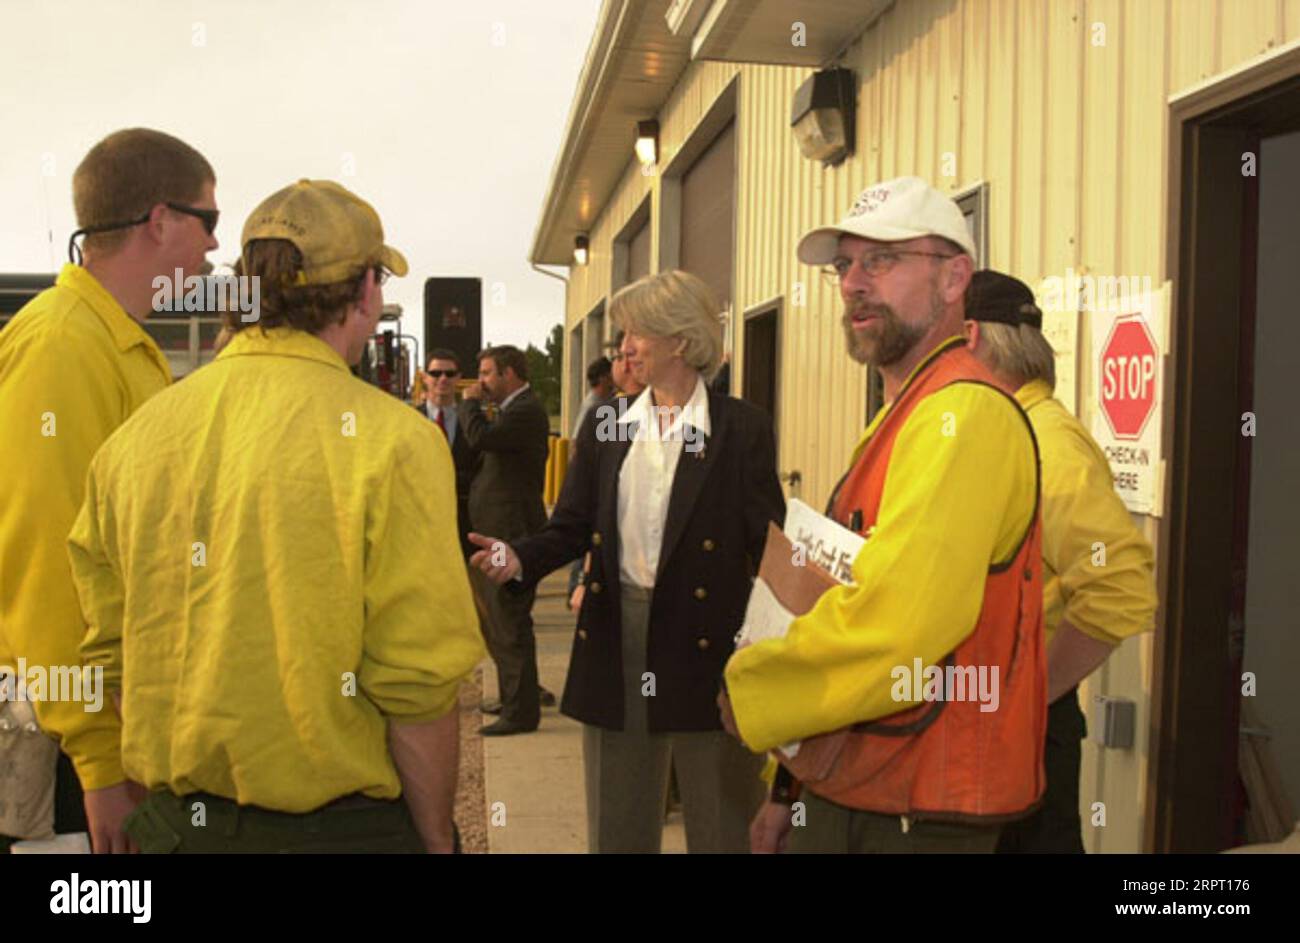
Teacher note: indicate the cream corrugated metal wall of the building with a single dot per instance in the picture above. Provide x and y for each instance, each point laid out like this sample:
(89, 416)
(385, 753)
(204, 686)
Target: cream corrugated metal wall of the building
(1061, 107)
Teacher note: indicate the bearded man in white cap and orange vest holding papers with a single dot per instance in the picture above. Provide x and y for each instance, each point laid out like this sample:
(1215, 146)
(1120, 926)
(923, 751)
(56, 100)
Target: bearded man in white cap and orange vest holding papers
(926, 674)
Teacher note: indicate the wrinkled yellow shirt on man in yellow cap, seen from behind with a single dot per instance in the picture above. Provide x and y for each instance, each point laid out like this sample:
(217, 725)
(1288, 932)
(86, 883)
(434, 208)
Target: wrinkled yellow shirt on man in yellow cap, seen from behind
(270, 565)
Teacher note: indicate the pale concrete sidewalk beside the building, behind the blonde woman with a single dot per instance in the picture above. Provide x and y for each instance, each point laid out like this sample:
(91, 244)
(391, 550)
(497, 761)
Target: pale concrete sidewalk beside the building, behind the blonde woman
(538, 778)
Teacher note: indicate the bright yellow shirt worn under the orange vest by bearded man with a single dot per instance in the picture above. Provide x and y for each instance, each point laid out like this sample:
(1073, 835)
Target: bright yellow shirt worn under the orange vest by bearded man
(959, 498)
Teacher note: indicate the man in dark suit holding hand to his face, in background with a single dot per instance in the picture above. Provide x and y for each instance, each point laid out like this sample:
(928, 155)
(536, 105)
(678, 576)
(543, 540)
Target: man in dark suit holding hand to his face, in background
(506, 501)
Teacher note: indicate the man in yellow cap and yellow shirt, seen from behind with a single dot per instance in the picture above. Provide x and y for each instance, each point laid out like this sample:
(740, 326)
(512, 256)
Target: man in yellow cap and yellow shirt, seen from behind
(275, 543)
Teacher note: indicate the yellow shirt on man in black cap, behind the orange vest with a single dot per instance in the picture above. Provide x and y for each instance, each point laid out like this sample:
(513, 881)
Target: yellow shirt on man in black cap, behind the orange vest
(1098, 569)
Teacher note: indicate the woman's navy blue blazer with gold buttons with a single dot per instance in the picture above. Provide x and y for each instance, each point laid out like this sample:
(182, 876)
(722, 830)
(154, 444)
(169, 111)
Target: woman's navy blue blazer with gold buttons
(722, 500)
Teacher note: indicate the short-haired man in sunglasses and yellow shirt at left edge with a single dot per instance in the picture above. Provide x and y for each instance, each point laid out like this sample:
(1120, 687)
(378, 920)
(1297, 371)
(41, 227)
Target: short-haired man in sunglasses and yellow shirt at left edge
(146, 205)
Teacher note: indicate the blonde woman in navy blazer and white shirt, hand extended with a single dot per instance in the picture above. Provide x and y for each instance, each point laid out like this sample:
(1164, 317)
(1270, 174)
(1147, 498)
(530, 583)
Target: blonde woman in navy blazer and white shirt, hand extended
(677, 522)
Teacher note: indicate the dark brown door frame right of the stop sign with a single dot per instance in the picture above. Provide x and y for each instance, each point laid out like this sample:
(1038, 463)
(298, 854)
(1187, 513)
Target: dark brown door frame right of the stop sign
(1195, 702)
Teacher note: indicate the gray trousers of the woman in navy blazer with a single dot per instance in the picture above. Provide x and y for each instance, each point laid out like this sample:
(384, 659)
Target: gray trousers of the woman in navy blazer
(627, 771)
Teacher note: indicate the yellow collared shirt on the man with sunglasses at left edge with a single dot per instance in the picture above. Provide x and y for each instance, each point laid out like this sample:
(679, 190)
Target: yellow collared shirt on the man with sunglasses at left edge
(73, 367)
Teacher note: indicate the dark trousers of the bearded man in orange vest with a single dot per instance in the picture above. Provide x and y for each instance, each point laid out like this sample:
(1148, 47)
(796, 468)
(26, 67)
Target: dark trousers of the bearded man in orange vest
(833, 829)
